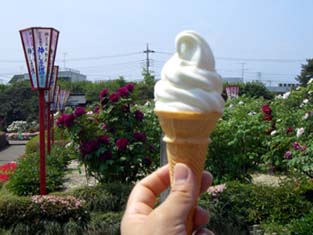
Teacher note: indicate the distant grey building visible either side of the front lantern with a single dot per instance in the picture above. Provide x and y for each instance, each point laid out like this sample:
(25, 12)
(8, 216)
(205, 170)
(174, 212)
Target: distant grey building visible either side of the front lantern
(65, 73)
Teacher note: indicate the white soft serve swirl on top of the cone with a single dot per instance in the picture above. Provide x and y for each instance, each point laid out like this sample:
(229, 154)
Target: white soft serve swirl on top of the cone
(188, 79)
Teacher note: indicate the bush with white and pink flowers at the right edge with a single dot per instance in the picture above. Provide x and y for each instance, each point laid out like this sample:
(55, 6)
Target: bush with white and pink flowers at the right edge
(291, 144)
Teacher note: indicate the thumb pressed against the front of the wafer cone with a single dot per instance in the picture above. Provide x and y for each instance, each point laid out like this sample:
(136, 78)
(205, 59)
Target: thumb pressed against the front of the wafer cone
(183, 194)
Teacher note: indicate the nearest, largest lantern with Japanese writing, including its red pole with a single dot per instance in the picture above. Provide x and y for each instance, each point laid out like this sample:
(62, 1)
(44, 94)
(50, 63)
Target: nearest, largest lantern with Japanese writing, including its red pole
(40, 45)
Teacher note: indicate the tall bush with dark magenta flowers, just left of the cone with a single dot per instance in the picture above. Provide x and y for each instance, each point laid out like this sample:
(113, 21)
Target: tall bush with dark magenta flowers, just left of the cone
(114, 138)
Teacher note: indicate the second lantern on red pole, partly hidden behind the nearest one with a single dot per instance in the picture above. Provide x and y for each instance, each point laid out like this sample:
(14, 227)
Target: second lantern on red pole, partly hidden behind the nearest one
(49, 96)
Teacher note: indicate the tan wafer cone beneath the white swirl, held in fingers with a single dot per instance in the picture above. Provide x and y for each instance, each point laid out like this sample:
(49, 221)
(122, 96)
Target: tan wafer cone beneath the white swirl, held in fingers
(187, 138)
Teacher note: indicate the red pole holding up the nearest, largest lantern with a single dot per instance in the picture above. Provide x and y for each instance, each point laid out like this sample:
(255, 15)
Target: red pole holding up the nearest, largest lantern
(42, 142)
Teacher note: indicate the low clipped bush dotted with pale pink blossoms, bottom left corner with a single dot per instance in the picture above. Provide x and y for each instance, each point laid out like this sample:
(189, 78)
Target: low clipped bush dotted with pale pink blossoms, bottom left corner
(36, 212)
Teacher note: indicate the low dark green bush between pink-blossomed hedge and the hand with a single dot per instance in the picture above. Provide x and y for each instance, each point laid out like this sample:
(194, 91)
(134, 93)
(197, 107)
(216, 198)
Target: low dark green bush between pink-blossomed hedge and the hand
(104, 198)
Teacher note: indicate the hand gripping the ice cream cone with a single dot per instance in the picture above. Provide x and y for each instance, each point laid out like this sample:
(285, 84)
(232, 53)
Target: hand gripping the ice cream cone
(169, 218)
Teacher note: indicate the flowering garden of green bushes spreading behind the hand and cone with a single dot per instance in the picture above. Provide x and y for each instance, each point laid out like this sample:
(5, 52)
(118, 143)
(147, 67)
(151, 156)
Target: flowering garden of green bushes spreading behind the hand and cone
(116, 141)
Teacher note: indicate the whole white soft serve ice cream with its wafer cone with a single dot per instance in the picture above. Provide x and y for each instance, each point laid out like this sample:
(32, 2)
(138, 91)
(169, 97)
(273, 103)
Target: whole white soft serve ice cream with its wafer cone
(189, 105)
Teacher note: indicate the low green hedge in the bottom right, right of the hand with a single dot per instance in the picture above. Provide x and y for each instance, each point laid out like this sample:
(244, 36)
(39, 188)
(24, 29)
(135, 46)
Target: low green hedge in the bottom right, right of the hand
(242, 205)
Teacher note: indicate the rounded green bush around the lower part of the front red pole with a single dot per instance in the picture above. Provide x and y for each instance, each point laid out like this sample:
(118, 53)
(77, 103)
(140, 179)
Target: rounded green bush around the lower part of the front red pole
(26, 179)
